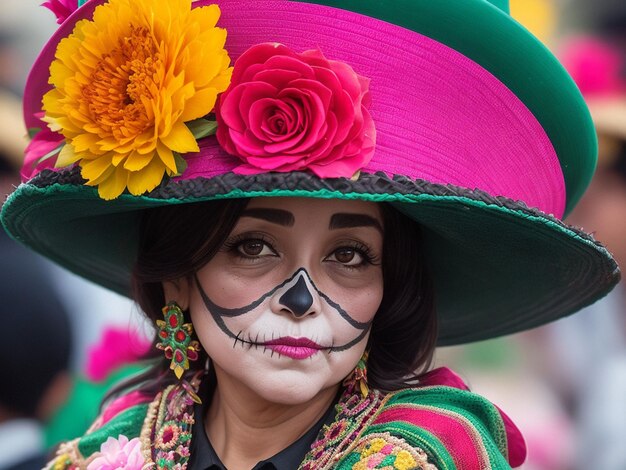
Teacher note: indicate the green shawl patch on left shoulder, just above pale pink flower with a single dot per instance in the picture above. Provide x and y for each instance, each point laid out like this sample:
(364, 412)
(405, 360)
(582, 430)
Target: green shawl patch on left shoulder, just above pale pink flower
(128, 423)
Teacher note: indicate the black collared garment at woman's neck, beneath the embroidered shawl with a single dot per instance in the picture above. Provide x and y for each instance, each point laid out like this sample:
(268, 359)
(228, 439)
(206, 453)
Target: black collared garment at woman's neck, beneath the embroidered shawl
(204, 457)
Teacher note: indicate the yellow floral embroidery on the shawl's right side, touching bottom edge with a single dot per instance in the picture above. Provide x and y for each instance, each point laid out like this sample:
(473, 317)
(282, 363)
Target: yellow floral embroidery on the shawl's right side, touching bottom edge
(384, 451)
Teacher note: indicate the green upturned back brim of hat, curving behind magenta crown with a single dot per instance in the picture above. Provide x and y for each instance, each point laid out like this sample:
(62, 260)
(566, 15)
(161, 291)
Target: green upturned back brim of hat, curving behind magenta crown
(491, 38)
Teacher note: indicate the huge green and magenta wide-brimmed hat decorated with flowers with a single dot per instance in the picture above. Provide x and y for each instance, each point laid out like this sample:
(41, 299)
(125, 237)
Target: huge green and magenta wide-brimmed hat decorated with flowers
(448, 110)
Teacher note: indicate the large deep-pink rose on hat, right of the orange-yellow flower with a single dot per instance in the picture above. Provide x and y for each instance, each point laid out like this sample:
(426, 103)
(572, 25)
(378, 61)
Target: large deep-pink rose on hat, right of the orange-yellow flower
(288, 112)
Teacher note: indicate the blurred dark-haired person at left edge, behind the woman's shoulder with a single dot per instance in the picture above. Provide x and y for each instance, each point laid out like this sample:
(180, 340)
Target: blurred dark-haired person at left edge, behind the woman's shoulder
(35, 350)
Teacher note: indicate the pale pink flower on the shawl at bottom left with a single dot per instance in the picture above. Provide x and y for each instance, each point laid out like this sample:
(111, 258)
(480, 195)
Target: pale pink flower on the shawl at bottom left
(118, 454)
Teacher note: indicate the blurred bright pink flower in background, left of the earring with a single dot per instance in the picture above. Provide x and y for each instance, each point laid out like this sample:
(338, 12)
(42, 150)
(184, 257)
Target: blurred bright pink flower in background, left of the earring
(117, 347)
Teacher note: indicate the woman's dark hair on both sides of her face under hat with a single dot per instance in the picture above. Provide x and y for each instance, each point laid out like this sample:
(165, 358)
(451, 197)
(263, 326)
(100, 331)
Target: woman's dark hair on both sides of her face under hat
(176, 241)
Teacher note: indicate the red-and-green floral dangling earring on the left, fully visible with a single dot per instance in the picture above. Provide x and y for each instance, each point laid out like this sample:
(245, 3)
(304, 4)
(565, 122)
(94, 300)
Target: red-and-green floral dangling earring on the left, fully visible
(175, 339)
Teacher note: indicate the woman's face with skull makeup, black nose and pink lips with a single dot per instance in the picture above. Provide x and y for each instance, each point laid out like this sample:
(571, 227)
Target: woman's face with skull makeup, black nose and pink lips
(286, 305)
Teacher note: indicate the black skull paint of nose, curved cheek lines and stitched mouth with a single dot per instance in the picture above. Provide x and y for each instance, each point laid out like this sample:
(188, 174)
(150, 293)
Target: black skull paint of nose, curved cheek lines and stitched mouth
(298, 300)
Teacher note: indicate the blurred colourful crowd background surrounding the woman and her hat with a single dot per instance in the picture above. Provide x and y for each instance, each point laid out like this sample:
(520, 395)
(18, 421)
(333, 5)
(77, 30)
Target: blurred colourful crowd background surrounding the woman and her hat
(563, 384)
